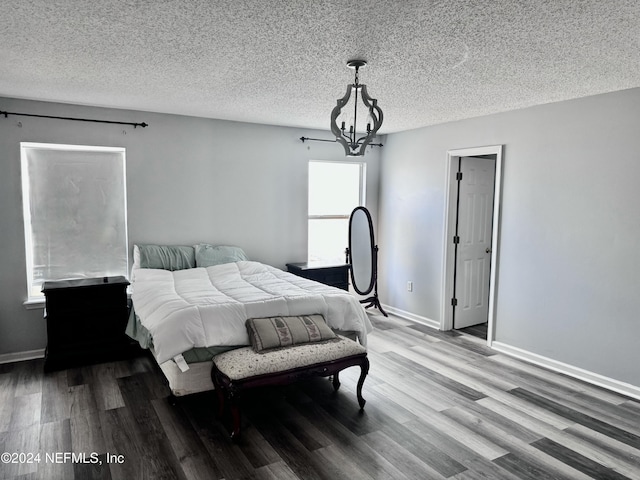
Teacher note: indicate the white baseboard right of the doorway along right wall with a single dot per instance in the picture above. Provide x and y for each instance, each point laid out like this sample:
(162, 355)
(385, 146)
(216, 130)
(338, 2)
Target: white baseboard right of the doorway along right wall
(570, 370)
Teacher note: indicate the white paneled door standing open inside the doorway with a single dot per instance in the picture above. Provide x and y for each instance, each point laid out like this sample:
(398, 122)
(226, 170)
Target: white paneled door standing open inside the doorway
(473, 253)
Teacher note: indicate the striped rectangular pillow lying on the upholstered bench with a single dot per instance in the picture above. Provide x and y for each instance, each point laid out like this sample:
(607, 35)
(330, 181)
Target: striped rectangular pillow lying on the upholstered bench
(277, 332)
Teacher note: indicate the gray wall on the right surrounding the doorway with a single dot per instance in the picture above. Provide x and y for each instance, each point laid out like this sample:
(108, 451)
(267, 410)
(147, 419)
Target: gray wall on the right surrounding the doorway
(568, 263)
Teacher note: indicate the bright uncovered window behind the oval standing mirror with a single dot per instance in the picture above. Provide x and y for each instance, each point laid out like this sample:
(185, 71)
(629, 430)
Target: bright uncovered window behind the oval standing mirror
(335, 189)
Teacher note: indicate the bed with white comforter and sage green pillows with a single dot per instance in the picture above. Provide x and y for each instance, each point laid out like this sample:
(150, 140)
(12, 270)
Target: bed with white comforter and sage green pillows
(191, 303)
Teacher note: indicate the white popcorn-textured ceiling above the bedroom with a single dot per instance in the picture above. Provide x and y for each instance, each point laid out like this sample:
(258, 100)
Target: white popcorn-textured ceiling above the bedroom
(284, 62)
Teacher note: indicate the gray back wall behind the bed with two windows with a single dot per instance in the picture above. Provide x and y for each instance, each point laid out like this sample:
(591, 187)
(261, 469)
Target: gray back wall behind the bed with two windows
(189, 180)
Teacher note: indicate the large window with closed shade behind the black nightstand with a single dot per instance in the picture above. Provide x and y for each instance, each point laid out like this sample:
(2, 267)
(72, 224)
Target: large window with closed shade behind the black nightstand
(74, 201)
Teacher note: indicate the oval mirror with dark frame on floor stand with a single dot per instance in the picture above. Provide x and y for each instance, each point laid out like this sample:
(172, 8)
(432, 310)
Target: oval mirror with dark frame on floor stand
(361, 248)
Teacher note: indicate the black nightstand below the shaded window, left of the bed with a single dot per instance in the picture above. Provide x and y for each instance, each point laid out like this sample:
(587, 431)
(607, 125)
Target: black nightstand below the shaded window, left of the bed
(86, 320)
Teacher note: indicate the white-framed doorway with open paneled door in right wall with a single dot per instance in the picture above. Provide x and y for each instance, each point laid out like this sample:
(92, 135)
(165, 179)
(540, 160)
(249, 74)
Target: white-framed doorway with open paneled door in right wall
(471, 239)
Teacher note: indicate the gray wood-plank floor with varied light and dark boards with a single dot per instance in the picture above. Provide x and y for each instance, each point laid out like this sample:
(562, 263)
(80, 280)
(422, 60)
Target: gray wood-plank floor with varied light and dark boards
(439, 405)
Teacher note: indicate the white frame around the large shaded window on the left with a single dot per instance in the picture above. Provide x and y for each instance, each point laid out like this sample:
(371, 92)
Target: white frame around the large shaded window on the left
(35, 301)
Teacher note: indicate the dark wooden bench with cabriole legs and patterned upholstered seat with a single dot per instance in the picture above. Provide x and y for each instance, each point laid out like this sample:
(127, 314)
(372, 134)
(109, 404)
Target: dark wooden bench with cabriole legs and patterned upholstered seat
(239, 370)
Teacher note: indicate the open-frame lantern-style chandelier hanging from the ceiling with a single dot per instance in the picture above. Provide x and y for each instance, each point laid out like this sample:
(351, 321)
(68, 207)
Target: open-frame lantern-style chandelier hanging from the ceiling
(345, 123)
